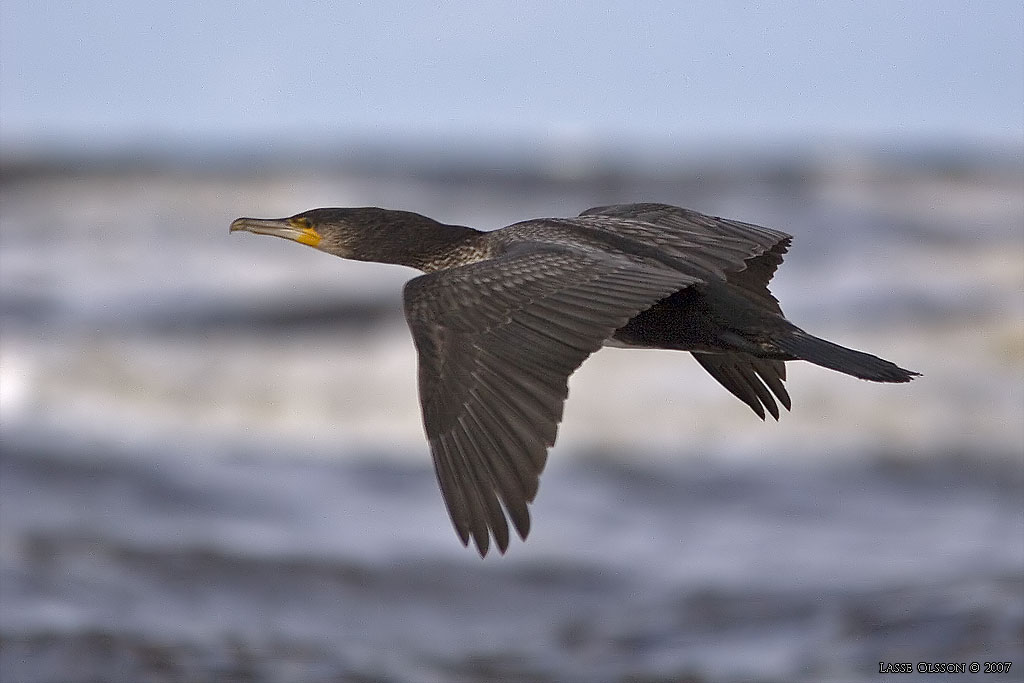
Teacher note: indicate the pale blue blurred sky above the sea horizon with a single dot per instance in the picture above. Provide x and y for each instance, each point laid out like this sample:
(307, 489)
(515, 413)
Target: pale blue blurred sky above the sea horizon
(92, 74)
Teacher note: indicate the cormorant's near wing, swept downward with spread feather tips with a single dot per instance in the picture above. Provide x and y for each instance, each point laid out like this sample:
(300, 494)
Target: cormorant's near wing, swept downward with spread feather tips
(497, 343)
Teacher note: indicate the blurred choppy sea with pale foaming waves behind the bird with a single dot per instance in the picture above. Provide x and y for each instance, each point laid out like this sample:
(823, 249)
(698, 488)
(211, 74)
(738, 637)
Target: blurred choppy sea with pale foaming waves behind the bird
(214, 466)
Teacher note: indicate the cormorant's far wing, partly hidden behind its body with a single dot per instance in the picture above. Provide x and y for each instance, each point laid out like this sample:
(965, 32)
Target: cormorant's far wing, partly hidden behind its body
(747, 254)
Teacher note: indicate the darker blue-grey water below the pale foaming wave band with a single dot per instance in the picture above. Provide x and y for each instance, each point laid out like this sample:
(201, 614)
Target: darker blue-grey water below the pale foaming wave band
(130, 569)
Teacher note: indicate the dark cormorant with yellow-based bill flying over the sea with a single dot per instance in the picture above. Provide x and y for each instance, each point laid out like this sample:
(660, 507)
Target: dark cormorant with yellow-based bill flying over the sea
(501, 319)
